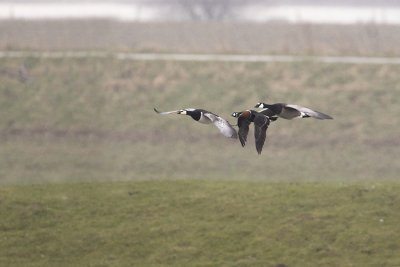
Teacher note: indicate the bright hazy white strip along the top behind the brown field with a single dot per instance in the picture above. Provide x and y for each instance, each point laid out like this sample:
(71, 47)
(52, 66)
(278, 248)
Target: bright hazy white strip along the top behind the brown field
(317, 11)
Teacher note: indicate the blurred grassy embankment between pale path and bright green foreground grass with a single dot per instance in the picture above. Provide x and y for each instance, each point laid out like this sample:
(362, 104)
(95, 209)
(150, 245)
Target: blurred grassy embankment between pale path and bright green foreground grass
(93, 119)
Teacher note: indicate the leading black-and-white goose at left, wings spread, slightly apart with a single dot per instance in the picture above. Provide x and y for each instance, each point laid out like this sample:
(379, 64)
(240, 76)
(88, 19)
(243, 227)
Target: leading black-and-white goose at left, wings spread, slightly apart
(206, 117)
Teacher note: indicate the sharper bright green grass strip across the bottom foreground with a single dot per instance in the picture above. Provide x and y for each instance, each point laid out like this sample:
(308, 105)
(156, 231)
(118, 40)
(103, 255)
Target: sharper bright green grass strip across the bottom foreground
(200, 223)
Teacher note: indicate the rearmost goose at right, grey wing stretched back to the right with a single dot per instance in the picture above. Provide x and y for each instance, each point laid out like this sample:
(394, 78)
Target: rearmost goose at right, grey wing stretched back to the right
(290, 111)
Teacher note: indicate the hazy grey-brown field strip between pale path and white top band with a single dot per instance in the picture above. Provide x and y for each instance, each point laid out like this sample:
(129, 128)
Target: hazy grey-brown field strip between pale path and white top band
(202, 37)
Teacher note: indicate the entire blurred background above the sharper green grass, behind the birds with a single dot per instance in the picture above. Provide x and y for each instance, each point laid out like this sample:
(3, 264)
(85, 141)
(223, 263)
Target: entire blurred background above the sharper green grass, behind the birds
(73, 109)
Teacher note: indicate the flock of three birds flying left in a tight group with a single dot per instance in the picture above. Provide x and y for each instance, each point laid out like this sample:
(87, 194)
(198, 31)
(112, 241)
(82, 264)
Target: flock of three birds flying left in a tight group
(261, 119)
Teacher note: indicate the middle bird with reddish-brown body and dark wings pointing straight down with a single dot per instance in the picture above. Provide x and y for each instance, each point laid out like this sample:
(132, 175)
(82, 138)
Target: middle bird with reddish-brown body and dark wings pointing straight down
(261, 122)
